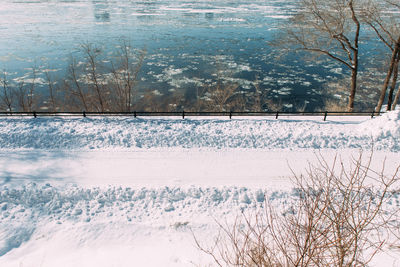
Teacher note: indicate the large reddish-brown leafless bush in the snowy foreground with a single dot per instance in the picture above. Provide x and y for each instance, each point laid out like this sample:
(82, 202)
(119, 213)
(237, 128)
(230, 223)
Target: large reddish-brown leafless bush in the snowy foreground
(337, 217)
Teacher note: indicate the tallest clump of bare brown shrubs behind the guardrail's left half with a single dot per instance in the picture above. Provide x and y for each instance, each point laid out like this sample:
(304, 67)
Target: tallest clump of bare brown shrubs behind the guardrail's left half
(93, 85)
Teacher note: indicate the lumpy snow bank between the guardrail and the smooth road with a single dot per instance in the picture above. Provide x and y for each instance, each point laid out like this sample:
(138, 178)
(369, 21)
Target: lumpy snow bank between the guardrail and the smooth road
(144, 133)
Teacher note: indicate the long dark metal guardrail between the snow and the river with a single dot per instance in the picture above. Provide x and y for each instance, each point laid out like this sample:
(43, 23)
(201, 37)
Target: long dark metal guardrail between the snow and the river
(184, 114)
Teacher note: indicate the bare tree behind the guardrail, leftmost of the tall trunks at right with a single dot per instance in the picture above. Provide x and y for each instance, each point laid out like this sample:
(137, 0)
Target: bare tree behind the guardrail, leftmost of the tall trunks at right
(329, 28)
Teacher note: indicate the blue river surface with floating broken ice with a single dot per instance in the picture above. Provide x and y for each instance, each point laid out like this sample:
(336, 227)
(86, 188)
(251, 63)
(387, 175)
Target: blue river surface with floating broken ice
(189, 43)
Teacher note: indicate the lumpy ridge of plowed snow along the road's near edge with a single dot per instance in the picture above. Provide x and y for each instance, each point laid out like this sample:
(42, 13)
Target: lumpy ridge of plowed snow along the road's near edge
(119, 203)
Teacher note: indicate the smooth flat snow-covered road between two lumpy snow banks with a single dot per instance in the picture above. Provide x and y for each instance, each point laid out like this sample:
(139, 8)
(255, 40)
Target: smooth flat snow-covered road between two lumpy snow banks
(136, 169)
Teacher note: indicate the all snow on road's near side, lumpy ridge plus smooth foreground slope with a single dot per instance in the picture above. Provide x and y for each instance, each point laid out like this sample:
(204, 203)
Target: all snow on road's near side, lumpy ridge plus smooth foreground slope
(48, 226)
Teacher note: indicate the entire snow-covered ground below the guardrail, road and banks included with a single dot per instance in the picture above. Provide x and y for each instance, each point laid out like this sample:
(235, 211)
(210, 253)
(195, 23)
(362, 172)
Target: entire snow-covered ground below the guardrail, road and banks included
(129, 192)
